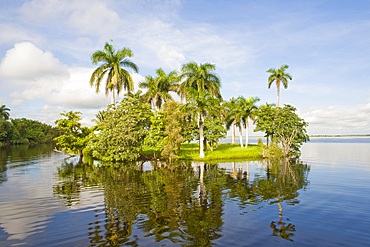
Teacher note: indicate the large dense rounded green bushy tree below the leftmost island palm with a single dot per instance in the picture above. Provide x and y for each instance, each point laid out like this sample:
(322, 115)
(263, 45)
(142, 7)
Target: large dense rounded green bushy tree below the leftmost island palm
(124, 131)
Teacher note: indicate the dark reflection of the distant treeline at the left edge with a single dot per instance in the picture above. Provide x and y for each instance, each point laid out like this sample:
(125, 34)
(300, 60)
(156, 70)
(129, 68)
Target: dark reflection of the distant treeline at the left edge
(21, 156)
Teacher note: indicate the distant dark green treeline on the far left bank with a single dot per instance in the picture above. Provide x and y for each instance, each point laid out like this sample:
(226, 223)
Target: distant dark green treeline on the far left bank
(26, 131)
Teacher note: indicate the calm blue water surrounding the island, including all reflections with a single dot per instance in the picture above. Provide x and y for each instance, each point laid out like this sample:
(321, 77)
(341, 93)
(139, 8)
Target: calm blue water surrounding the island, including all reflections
(321, 200)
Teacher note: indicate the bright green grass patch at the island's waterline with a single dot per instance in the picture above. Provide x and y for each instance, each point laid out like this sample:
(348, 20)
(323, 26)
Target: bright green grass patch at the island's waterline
(190, 151)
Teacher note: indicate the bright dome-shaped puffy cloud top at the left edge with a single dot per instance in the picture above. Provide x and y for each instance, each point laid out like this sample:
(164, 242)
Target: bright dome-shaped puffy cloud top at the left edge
(26, 61)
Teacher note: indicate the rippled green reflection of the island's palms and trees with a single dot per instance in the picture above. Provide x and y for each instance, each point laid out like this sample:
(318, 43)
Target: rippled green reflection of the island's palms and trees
(180, 203)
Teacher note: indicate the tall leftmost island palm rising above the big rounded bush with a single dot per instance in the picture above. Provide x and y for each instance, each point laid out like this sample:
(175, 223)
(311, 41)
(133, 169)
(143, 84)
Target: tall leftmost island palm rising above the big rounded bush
(111, 67)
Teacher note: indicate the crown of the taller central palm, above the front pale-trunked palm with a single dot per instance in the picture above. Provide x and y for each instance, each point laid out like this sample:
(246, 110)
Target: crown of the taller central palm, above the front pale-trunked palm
(201, 78)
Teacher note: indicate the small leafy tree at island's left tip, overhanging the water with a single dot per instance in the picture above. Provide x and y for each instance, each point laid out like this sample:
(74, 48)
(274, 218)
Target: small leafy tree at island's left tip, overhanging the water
(76, 137)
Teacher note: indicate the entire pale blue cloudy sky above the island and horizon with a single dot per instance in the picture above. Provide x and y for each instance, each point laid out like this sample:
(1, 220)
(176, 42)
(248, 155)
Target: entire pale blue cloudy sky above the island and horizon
(46, 47)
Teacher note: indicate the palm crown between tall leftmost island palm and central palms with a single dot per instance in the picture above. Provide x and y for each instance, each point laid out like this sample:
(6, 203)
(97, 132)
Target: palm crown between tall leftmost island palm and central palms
(159, 88)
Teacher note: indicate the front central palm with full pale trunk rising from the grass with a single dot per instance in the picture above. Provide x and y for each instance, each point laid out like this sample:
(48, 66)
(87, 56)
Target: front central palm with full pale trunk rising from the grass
(201, 104)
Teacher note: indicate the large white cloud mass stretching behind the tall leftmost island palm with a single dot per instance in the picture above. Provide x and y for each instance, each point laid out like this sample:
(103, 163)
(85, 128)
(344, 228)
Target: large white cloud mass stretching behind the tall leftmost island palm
(39, 75)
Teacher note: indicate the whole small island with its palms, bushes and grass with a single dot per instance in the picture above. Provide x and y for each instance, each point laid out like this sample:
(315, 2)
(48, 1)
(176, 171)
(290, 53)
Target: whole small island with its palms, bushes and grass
(153, 125)
